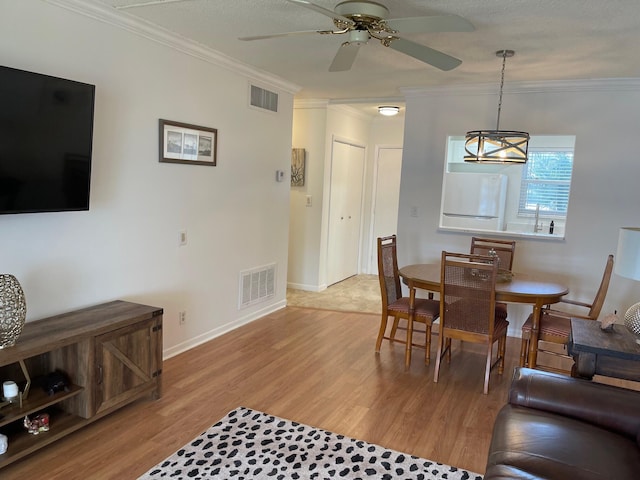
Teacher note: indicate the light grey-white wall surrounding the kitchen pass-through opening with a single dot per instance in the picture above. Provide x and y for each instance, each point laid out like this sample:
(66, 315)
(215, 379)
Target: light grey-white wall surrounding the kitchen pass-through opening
(603, 115)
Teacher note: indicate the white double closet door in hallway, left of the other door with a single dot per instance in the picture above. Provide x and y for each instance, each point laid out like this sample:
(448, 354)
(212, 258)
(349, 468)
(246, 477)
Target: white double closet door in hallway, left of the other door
(345, 211)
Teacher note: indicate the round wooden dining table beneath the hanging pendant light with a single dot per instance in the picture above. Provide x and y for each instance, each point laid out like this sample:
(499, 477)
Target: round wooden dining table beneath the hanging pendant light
(534, 289)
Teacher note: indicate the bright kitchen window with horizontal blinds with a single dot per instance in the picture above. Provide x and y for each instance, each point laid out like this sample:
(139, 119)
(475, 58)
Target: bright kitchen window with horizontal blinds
(546, 181)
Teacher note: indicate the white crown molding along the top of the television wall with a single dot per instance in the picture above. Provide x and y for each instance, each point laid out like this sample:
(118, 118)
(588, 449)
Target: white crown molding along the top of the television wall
(117, 18)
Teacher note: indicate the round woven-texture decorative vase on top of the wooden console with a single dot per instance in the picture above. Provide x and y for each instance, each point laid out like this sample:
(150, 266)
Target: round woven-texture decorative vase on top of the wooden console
(13, 310)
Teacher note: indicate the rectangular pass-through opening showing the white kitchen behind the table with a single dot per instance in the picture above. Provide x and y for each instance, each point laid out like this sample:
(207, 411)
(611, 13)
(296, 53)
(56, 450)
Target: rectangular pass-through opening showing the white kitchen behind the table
(543, 184)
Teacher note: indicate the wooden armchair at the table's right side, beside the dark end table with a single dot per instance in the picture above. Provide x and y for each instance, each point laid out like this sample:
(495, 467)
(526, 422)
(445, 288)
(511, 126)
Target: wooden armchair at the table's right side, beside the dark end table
(555, 325)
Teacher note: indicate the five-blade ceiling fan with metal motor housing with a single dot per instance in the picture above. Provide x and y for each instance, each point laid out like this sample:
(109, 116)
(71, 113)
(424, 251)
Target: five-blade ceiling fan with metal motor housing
(362, 20)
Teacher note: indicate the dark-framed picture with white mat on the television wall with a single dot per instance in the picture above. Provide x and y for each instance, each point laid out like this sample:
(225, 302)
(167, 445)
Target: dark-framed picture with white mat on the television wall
(188, 144)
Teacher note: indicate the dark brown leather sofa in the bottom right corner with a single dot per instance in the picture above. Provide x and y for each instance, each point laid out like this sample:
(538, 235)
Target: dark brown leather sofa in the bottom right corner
(558, 427)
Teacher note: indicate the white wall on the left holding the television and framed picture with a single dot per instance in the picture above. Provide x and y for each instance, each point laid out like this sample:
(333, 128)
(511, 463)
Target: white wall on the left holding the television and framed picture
(126, 245)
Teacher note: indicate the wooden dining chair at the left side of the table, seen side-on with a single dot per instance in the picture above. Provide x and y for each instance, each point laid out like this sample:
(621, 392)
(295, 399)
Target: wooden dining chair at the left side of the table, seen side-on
(397, 306)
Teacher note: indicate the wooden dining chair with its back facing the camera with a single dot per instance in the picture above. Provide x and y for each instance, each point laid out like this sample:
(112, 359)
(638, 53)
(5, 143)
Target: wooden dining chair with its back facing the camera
(467, 308)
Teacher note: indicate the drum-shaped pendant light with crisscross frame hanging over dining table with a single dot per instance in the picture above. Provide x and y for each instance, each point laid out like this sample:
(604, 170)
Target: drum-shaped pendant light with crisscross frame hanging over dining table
(497, 146)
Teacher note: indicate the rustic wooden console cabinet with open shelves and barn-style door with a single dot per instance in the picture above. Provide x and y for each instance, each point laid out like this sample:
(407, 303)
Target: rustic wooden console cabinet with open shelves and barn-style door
(111, 353)
